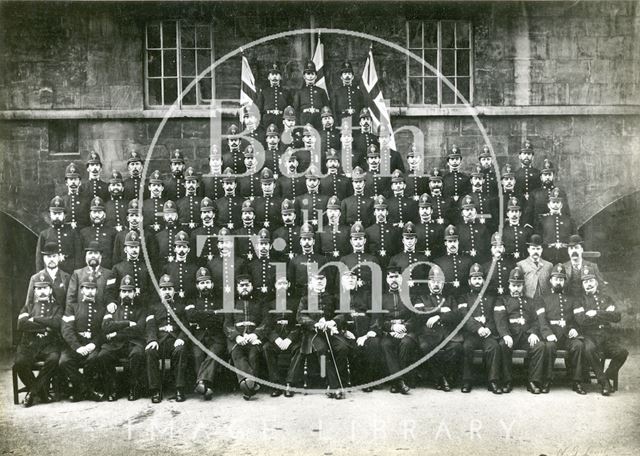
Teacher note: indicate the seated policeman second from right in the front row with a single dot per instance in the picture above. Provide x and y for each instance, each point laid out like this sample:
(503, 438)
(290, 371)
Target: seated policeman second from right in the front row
(559, 330)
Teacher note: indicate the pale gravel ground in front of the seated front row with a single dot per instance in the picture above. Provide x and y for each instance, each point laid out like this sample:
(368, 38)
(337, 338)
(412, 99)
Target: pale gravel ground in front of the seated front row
(425, 422)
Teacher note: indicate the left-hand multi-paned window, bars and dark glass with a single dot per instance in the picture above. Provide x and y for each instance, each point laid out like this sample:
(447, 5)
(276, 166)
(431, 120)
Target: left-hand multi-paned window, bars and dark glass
(176, 52)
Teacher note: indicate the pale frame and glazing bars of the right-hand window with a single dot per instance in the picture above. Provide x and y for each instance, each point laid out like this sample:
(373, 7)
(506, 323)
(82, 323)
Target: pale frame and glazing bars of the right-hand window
(457, 102)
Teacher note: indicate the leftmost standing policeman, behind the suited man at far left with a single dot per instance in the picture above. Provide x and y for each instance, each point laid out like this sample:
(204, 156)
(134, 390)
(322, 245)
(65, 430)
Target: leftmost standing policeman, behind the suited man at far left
(67, 240)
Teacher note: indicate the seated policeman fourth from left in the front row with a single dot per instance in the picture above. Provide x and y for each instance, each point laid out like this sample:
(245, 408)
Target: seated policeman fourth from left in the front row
(167, 340)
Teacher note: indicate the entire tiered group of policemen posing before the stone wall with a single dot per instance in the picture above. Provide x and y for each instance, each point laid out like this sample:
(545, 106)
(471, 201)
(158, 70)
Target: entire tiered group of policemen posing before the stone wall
(373, 272)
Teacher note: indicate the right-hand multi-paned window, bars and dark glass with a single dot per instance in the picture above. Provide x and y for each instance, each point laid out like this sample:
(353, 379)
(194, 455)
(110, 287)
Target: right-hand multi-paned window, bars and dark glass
(446, 45)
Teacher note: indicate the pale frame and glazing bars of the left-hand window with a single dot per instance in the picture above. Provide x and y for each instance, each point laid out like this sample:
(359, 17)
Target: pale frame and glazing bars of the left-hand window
(201, 103)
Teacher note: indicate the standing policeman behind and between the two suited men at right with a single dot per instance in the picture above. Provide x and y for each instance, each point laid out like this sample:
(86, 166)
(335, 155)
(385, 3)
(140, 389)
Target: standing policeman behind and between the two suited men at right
(555, 229)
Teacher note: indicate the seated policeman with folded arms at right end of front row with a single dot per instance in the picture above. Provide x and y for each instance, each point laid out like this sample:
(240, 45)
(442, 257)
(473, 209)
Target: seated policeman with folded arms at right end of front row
(594, 318)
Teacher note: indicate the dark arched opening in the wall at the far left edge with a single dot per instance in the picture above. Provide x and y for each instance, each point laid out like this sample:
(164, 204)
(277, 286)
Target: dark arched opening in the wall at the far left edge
(17, 264)
